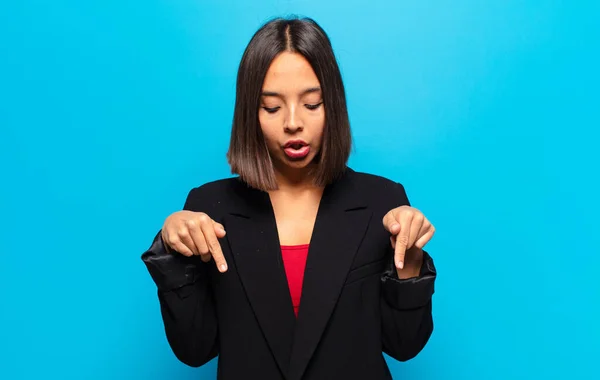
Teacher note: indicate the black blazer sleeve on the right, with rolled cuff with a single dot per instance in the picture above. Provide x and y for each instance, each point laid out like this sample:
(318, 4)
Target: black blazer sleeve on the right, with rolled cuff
(406, 305)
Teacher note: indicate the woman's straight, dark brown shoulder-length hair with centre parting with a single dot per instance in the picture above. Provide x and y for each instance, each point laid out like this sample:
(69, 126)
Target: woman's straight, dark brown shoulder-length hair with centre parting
(248, 154)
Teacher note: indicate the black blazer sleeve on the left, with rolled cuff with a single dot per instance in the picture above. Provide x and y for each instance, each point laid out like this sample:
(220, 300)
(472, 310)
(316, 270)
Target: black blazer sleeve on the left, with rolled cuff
(185, 297)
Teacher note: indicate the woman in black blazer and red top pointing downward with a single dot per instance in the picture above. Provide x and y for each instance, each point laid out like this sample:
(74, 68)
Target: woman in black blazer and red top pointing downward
(299, 268)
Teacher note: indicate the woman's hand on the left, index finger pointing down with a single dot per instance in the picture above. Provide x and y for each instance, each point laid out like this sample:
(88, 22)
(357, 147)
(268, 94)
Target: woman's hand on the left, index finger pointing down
(195, 233)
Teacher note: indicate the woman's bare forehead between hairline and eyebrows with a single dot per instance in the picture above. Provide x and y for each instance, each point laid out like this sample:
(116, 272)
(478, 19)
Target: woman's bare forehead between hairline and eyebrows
(290, 71)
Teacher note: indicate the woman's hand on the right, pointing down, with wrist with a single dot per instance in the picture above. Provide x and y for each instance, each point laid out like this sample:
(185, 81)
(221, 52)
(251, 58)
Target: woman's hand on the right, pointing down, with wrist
(410, 232)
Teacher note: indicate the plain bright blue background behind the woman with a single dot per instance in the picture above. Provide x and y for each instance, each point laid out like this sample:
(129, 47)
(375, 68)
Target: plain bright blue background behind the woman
(487, 111)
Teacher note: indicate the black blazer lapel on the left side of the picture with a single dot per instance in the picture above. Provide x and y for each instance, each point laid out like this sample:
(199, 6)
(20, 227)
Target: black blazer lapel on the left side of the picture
(254, 242)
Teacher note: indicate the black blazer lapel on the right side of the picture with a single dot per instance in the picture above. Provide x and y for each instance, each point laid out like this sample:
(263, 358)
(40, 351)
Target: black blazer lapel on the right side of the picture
(341, 223)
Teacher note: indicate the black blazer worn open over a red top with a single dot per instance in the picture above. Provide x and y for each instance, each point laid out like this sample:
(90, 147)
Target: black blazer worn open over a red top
(353, 305)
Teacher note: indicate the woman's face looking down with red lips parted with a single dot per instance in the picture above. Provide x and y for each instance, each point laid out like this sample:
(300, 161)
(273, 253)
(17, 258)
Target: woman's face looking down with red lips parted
(291, 114)
